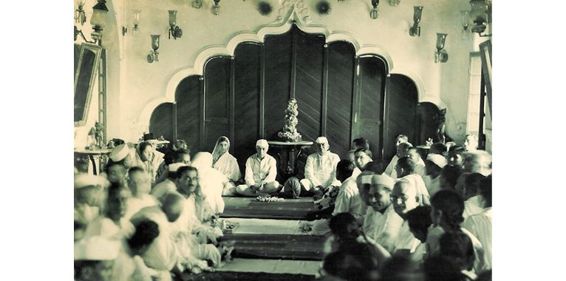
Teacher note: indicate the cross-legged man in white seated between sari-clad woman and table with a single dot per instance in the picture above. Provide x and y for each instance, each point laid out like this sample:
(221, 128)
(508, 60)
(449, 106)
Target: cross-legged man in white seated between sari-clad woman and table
(261, 171)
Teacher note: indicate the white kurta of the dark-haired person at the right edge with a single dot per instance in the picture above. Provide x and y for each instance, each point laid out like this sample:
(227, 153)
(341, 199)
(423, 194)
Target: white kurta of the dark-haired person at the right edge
(480, 225)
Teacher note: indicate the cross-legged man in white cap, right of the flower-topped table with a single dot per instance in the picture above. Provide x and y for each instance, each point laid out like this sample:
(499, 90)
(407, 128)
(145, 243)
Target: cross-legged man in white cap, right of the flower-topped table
(320, 169)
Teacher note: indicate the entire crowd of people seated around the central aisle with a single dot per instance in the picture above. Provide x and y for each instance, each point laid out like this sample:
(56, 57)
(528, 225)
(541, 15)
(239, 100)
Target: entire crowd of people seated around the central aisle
(152, 215)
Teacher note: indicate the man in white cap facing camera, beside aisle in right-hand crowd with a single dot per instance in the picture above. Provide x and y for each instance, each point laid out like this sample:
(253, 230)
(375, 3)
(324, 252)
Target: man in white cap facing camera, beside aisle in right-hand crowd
(381, 223)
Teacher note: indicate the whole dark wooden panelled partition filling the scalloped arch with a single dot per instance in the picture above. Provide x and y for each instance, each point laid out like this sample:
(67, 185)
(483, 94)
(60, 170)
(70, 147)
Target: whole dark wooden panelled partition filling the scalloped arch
(244, 97)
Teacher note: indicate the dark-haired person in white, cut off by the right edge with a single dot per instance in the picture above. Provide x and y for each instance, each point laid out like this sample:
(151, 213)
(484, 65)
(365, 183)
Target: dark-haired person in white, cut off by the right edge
(480, 225)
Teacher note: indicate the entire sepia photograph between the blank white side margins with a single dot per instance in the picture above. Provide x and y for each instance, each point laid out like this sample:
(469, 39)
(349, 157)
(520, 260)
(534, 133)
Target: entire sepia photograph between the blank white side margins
(346, 140)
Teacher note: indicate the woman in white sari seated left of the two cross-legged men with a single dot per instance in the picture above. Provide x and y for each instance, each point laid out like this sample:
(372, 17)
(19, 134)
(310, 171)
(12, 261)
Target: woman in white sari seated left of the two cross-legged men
(224, 162)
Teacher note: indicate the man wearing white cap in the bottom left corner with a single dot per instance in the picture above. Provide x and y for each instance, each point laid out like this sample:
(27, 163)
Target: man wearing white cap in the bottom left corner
(94, 258)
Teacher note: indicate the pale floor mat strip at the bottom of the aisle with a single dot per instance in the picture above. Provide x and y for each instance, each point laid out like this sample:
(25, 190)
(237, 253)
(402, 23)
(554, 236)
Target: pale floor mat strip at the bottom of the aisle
(272, 266)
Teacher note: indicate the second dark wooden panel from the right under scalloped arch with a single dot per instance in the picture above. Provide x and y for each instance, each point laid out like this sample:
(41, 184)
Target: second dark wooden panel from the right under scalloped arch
(400, 112)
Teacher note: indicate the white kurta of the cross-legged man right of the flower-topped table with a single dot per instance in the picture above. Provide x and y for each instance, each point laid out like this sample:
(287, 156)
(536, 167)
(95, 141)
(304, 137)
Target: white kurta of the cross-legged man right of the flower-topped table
(321, 170)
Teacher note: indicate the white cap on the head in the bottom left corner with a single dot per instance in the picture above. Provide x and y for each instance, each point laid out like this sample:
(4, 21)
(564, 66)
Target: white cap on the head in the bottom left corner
(96, 248)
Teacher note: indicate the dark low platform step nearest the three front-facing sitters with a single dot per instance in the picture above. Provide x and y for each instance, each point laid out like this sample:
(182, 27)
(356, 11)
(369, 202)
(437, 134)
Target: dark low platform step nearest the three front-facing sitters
(241, 207)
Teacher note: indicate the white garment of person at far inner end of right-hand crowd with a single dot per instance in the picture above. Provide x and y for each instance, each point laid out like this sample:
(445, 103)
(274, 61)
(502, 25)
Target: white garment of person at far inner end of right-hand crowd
(348, 199)
